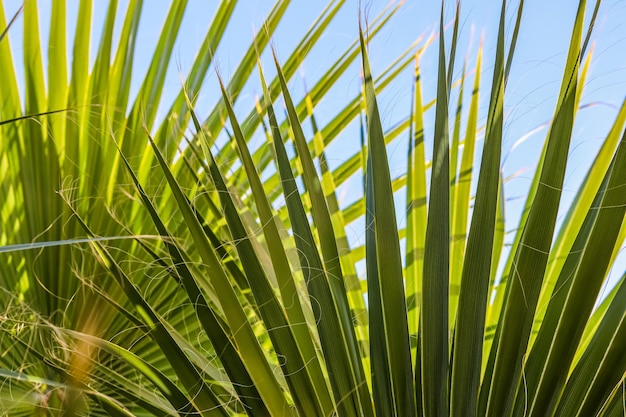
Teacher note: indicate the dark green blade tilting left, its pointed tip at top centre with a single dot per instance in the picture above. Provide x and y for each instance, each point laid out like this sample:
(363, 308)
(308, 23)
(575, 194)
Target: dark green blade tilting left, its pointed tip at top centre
(391, 312)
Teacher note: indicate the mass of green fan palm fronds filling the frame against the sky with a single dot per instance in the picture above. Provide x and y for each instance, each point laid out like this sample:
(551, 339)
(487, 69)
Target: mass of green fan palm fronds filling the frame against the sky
(165, 265)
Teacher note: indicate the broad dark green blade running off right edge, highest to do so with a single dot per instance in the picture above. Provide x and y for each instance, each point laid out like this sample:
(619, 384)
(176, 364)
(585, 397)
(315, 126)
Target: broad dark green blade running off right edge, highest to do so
(578, 286)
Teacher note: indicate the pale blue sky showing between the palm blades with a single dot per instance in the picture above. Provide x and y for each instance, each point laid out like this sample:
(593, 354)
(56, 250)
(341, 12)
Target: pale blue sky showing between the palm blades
(530, 98)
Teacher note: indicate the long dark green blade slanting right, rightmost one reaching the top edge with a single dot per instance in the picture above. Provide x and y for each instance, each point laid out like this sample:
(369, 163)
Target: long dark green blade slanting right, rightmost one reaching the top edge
(530, 260)
